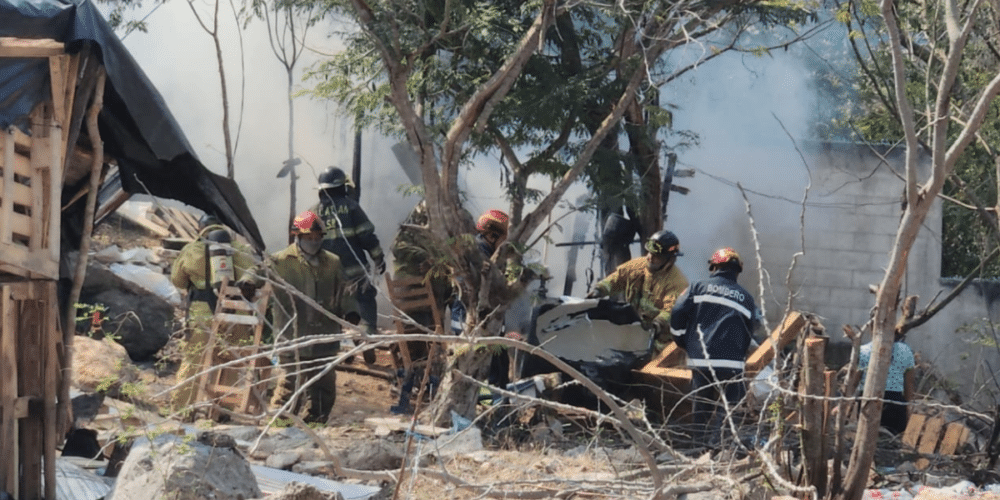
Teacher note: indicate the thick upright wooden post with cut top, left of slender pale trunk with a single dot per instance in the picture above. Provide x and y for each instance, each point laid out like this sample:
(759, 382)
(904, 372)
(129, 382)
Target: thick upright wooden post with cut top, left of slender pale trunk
(813, 416)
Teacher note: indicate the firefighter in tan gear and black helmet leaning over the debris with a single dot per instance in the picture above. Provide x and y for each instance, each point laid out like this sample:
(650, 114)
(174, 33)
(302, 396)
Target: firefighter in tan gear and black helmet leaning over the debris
(650, 283)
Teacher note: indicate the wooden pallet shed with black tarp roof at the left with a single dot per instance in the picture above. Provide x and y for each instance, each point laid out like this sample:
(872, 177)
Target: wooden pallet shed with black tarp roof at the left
(74, 108)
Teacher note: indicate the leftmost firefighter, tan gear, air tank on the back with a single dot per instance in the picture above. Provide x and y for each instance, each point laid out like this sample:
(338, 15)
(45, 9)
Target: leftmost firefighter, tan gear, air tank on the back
(198, 271)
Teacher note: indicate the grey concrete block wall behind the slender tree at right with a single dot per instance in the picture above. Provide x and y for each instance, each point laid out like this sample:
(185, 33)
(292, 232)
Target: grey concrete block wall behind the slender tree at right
(850, 226)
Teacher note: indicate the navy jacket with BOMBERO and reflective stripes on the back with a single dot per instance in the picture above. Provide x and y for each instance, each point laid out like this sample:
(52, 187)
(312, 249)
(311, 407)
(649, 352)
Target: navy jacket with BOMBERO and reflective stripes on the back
(713, 320)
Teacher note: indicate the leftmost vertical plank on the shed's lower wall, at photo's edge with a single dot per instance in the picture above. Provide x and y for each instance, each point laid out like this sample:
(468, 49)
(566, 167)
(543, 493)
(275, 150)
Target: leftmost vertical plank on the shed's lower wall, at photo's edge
(8, 393)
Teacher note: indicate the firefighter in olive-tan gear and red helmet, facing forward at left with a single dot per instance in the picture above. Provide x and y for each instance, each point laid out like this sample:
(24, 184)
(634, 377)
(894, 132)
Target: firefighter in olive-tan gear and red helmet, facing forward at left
(317, 274)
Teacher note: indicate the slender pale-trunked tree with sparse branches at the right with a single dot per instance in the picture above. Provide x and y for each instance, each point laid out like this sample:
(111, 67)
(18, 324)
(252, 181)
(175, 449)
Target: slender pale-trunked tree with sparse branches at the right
(924, 48)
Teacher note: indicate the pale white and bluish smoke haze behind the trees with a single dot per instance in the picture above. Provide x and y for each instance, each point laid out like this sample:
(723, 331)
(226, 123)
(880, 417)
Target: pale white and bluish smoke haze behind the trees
(734, 104)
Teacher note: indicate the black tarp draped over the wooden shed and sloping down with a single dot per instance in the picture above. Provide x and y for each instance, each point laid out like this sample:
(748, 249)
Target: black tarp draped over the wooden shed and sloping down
(139, 132)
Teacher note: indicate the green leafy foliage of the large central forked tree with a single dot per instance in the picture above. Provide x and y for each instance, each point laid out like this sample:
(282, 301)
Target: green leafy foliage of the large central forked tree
(449, 49)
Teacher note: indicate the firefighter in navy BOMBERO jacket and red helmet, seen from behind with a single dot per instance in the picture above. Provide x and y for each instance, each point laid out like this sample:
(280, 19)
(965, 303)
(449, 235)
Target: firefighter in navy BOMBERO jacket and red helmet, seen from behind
(713, 321)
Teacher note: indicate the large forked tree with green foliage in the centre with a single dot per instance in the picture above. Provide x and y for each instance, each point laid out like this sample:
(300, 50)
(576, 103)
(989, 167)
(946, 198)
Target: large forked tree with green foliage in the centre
(461, 77)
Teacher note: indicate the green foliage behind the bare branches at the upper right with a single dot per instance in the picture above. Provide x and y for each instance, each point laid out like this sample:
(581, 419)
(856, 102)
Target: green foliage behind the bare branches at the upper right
(966, 238)
